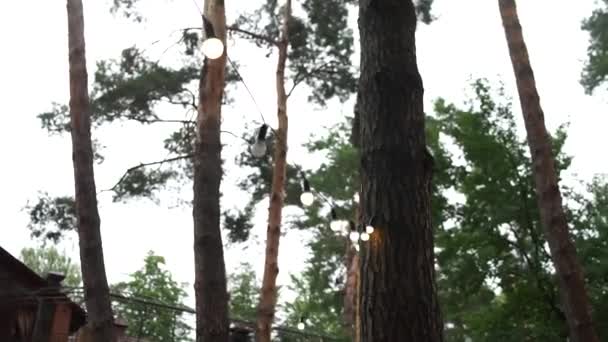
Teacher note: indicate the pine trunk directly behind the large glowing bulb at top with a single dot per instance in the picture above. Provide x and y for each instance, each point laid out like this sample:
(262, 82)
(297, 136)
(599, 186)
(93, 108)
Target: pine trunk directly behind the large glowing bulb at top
(212, 323)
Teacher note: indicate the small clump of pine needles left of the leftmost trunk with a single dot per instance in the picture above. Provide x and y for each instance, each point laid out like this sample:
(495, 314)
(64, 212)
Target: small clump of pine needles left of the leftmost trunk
(50, 217)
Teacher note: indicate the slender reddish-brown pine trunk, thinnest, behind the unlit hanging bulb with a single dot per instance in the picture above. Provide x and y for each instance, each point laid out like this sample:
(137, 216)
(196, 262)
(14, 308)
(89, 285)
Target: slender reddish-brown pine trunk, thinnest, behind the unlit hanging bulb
(268, 296)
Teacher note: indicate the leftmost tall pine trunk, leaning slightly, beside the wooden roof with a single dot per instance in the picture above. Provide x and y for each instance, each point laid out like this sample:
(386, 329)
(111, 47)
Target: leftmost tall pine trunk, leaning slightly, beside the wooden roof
(96, 291)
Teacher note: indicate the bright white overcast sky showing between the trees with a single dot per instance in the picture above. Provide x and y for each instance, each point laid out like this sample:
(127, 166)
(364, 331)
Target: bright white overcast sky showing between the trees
(467, 41)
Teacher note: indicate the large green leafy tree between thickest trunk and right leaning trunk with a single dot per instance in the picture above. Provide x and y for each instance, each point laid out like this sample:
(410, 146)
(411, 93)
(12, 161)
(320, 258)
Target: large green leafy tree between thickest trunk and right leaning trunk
(494, 277)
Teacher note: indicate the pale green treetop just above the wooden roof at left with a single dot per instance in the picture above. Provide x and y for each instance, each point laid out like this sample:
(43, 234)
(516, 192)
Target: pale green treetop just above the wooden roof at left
(48, 259)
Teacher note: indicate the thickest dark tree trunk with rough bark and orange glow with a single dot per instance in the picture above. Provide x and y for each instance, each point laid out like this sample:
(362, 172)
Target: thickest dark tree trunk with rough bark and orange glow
(398, 291)
